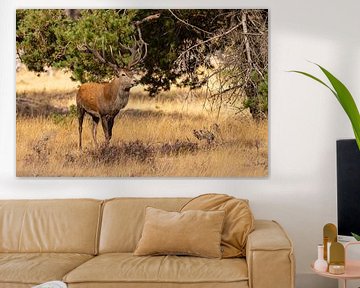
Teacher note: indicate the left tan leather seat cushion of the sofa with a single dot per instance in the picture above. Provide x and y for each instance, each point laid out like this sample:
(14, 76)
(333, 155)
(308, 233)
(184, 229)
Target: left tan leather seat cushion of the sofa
(36, 268)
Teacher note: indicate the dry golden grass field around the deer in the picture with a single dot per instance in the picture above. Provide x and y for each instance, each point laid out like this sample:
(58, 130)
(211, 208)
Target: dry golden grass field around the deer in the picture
(151, 136)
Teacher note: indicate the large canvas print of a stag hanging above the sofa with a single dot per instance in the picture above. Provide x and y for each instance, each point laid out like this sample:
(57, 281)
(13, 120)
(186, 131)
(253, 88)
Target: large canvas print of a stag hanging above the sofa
(142, 92)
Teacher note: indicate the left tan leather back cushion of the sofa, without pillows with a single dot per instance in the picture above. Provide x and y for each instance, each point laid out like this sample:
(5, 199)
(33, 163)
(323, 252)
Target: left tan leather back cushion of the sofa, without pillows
(66, 226)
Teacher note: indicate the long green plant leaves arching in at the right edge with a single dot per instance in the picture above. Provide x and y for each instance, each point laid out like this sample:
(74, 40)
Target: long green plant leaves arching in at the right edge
(344, 97)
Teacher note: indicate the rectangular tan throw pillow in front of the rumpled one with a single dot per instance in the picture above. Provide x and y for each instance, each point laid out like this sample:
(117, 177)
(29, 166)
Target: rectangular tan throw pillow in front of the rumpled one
(196, 233)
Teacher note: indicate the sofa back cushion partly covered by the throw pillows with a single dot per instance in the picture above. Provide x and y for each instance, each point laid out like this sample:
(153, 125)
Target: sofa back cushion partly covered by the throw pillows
(123, 220)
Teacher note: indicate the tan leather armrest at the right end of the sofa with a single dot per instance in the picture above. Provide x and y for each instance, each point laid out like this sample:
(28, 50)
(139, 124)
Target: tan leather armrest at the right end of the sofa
(269, 256)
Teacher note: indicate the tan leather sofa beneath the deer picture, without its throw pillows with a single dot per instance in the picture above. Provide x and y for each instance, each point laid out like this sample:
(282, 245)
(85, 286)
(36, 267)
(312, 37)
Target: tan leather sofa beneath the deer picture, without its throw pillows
(89, 243)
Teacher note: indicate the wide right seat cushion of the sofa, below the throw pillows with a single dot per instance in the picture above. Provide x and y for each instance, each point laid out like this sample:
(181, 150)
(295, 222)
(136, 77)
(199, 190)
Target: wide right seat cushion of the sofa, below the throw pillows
(126, 268)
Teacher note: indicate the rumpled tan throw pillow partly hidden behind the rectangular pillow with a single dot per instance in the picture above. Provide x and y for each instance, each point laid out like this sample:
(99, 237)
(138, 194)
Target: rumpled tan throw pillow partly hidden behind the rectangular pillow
(239, 220)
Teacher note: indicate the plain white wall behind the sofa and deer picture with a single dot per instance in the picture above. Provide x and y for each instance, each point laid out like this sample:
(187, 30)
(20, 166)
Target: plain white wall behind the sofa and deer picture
(305, 121)
